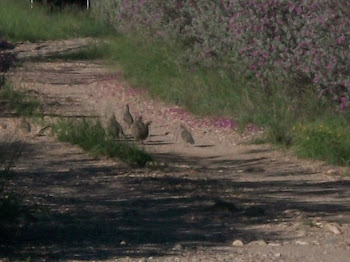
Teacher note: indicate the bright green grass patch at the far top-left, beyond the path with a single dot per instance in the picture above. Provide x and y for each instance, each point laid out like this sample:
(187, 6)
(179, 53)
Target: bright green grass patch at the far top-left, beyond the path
(19, 22)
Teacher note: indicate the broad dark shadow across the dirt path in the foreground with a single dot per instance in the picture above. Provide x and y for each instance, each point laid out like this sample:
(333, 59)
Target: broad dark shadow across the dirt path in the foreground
(91, 212)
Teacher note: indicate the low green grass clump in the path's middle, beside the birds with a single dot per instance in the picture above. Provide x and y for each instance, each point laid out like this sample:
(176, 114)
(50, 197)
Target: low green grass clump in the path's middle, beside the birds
(91, 136)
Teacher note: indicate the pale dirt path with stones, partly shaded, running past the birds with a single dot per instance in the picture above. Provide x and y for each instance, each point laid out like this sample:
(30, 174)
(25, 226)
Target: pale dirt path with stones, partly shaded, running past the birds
(100, 209)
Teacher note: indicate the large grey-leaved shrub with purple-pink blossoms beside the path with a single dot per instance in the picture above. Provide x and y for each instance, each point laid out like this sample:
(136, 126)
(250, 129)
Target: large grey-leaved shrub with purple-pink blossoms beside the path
(306, 40)
